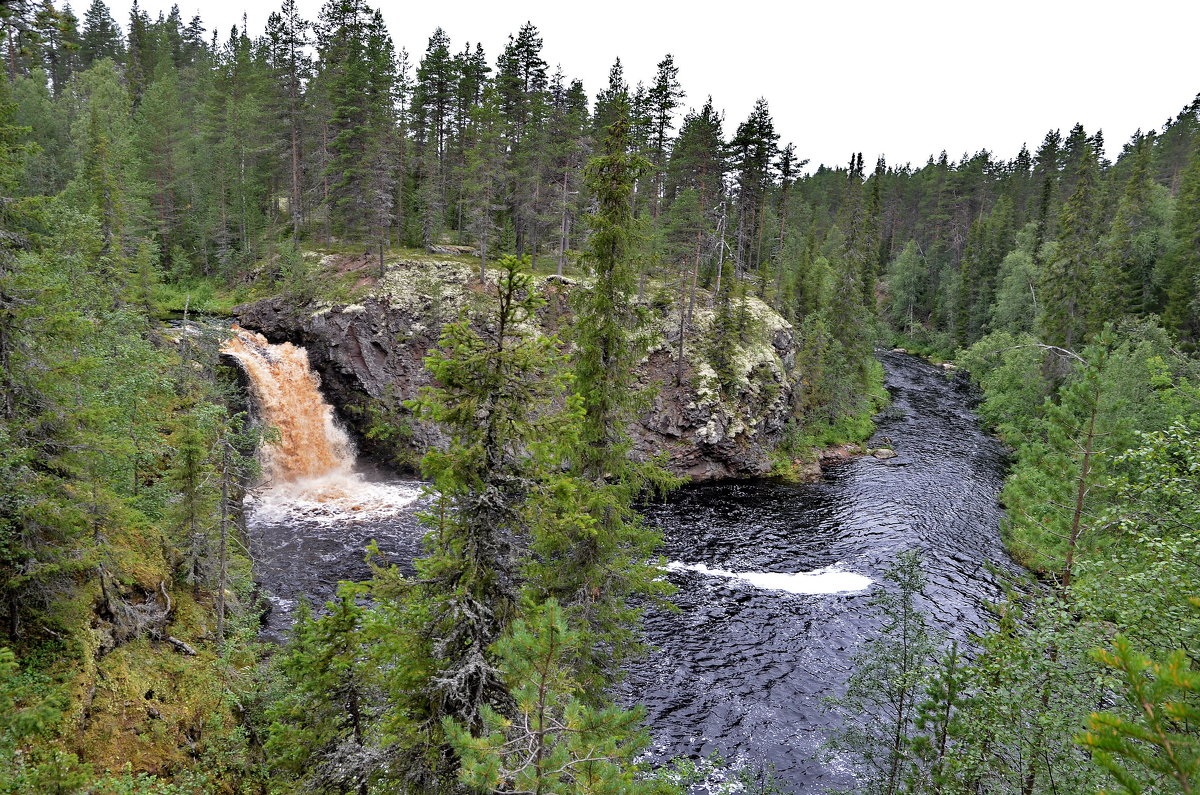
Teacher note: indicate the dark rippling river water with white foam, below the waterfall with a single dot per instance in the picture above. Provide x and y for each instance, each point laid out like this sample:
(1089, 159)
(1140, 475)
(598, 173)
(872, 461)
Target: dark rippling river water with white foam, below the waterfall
(773, 579)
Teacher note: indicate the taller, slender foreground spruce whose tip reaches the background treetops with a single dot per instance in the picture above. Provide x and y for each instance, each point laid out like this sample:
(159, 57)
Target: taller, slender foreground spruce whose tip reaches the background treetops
(603, 555)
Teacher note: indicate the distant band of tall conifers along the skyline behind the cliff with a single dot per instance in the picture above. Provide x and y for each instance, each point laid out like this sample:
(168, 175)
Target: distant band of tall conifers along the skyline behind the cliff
(213, 146)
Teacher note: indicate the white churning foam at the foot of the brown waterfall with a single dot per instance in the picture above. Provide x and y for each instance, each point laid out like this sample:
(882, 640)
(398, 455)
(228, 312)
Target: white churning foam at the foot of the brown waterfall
(333, 499)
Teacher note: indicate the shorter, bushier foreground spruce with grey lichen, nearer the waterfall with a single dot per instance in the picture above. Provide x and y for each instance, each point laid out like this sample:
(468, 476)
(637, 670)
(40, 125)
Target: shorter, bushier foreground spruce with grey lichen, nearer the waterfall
(494, 385)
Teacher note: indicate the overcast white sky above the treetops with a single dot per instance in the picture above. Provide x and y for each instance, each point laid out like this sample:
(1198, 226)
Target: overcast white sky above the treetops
(903, 80)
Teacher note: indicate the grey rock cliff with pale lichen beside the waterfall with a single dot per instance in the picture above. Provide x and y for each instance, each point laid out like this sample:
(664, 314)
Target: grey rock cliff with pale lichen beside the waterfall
(370, 356)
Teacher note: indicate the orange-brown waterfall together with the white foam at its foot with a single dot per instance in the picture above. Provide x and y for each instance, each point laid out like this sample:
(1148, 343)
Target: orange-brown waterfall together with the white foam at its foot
(309, 471)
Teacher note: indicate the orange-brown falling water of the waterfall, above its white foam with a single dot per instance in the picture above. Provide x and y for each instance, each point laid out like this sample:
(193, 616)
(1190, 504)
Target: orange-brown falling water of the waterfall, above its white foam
(287, 394)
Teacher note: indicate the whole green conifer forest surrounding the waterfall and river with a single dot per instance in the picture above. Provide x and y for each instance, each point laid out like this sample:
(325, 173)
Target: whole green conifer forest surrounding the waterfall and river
(155, 176)
